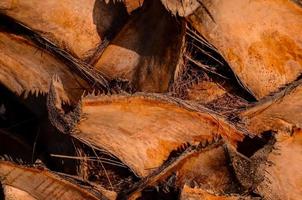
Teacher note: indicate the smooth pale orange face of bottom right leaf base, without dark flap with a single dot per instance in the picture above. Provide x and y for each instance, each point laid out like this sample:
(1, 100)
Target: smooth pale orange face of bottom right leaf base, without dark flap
(283, 177)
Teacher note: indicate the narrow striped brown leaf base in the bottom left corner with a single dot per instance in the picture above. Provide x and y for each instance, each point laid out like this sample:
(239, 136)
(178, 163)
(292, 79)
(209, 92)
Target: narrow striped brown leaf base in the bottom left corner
(42, 184)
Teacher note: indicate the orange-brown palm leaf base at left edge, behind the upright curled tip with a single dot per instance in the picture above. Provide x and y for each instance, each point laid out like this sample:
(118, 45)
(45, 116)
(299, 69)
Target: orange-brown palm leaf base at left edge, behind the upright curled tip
(24, 68)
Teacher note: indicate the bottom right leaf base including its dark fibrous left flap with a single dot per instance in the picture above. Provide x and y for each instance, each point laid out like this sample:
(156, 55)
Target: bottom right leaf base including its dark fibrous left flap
(273, 172)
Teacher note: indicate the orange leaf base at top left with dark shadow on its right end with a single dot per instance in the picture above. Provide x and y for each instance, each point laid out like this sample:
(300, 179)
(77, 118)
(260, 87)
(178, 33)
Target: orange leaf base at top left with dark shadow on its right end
(74, 25)
